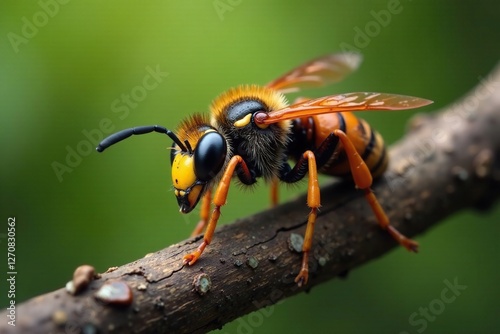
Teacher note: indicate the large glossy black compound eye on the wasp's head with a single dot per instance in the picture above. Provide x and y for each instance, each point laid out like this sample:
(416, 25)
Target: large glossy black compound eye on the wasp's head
(209, 155)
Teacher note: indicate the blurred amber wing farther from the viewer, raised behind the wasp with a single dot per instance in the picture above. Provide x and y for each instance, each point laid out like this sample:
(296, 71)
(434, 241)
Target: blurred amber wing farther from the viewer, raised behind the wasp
(318, 72)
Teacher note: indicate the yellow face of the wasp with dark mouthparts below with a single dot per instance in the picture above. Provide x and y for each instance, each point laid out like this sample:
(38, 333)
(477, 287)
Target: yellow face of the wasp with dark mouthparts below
(188, 189)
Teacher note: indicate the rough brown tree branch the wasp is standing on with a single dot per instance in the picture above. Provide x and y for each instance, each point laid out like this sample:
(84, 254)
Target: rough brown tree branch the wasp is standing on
(447, 162)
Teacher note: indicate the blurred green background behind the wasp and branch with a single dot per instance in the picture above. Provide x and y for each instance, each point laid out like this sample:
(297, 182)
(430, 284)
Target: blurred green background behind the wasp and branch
(74, 69)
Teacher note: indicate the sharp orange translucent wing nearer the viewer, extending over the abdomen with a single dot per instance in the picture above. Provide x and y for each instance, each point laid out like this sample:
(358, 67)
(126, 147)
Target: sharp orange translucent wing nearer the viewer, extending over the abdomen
(343, 102)
